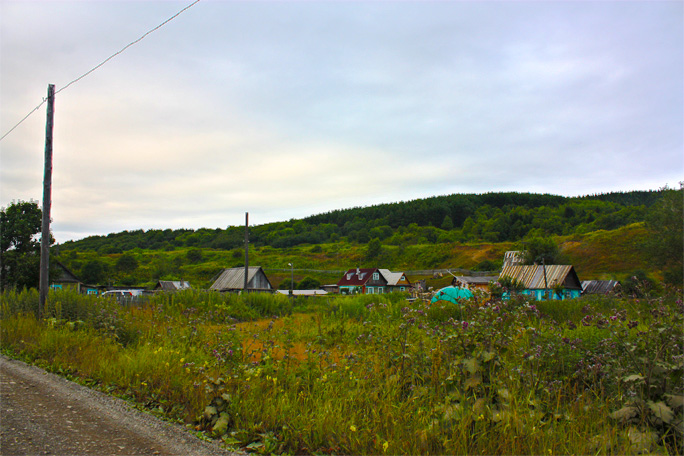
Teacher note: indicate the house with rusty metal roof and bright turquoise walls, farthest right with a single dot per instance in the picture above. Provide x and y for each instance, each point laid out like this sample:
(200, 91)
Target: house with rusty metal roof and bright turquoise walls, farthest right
(551, 281)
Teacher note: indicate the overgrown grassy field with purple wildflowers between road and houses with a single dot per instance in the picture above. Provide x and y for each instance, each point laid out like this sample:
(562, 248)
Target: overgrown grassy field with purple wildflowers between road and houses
(375, 374)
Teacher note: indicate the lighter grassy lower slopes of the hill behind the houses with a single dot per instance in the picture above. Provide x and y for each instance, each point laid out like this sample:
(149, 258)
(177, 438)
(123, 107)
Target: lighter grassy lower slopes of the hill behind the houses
(597, 255)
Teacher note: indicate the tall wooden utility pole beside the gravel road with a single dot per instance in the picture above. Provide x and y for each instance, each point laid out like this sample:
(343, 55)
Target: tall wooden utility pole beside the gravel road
(47, 203)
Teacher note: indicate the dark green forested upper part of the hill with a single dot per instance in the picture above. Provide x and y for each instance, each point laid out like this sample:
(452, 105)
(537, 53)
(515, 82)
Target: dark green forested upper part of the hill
(491, 217)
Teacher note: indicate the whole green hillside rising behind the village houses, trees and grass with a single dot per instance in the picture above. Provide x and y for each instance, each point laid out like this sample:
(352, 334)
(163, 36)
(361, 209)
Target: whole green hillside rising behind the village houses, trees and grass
(604, 236)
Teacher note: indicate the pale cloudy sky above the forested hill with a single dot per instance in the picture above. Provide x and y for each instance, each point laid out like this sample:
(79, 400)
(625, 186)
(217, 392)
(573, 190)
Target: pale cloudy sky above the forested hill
(286, 109)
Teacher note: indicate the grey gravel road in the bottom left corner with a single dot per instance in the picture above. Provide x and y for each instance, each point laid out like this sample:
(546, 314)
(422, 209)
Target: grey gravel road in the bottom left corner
(43, 414)
